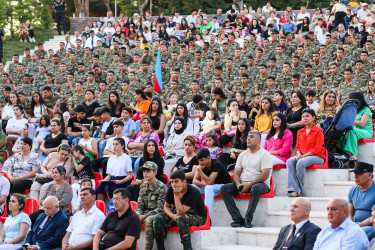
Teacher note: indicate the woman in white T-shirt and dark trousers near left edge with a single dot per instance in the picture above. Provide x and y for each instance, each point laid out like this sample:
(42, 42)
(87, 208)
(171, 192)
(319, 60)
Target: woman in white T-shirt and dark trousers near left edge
(14, 127)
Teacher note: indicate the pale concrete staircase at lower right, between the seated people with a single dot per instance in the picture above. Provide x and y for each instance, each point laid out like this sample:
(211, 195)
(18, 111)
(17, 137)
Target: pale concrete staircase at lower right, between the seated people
(270, 216)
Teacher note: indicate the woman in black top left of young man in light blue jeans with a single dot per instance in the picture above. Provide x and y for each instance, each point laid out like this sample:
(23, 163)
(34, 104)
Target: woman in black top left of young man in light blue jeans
(188, 163)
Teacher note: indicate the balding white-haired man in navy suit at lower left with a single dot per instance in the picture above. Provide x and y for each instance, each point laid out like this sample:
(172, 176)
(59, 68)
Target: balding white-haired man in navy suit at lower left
(49, 228)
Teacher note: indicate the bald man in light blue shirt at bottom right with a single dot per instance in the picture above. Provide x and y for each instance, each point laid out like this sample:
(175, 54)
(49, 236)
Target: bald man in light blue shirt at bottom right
(343, 233)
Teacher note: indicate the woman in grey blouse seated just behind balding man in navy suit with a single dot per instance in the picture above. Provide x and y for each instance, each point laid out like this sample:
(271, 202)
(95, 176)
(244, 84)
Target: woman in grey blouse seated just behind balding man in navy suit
(58, 188)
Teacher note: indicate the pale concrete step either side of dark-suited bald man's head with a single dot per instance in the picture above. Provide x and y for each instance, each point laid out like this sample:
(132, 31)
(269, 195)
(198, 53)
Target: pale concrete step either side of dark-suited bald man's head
(282, 218)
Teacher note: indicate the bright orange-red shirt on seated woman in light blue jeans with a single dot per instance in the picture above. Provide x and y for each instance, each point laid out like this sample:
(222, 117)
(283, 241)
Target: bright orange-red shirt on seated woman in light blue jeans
(313, 142)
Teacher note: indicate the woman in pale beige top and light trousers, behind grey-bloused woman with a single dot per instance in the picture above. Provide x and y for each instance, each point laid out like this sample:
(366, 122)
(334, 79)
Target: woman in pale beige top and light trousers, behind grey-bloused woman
(59, 158)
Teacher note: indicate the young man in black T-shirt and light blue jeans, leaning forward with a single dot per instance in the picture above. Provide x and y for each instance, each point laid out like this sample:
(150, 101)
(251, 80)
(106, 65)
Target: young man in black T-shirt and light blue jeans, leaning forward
(210, 176)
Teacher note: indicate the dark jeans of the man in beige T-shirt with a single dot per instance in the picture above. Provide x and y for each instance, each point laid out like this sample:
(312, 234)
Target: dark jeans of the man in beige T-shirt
(227, 190)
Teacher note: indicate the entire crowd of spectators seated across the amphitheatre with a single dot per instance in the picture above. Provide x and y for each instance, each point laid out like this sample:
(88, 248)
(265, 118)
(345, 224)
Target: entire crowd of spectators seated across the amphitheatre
(241, 93)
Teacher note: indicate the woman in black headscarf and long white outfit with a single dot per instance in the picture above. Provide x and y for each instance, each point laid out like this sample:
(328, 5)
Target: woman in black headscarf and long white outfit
(174, 146)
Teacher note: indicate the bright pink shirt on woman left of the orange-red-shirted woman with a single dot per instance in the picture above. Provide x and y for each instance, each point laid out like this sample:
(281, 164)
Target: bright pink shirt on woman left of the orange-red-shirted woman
(280, 145)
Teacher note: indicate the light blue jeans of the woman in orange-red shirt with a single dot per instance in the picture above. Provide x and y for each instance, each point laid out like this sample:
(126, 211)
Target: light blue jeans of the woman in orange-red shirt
(297, 171)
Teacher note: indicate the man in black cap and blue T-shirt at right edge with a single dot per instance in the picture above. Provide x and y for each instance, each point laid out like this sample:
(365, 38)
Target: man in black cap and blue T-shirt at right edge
(362, 196)
